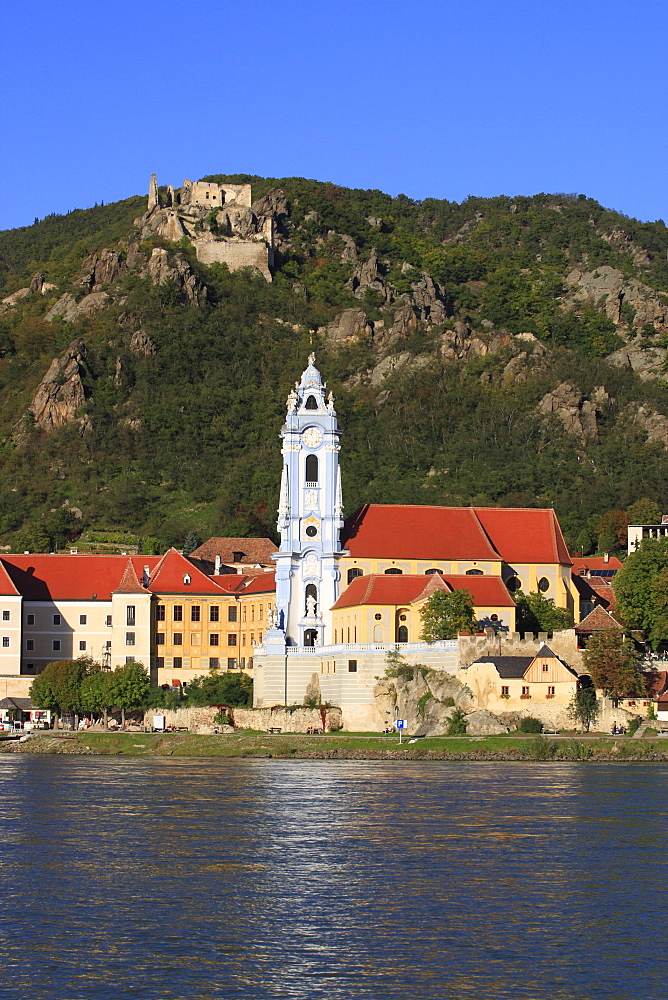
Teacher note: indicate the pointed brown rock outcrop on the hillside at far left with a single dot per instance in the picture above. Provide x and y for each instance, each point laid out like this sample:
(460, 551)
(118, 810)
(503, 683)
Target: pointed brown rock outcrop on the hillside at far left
(61, 393)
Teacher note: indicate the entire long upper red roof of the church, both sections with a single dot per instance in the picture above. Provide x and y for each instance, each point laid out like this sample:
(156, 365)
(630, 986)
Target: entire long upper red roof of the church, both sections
(516, 535)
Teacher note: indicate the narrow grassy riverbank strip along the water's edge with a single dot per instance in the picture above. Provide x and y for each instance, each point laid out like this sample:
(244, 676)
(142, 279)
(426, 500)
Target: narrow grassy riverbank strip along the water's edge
(344, 746)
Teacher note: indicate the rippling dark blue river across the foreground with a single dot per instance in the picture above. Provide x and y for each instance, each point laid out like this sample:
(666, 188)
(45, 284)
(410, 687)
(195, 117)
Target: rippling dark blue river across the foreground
(261, 879)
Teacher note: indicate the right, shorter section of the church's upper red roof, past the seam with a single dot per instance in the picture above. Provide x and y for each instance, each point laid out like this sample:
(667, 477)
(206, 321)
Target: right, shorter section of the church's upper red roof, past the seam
(525, 534)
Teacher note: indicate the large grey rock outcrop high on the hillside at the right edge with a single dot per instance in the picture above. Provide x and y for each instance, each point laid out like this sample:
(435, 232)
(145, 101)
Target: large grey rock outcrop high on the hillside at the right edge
(615, 289)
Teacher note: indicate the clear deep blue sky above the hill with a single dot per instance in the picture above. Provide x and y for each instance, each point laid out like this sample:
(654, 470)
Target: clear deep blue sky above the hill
(440, 99)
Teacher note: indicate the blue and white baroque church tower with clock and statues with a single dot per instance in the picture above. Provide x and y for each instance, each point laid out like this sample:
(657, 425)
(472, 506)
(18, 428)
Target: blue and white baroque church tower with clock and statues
(309, 515)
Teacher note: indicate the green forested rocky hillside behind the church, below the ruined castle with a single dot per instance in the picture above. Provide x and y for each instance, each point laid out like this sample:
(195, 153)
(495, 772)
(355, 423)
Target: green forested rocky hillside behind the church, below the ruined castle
(496, 352)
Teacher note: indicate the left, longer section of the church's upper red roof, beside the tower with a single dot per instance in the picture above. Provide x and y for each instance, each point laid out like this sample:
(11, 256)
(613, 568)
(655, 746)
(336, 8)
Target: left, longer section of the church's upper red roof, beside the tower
(384, 531)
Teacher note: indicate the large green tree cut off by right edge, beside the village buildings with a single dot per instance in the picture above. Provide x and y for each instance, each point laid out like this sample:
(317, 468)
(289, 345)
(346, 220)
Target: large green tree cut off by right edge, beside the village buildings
(641, 589)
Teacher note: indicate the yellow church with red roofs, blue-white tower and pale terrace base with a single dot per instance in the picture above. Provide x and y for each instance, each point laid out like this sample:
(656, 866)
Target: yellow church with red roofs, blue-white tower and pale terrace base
(348, 591)
